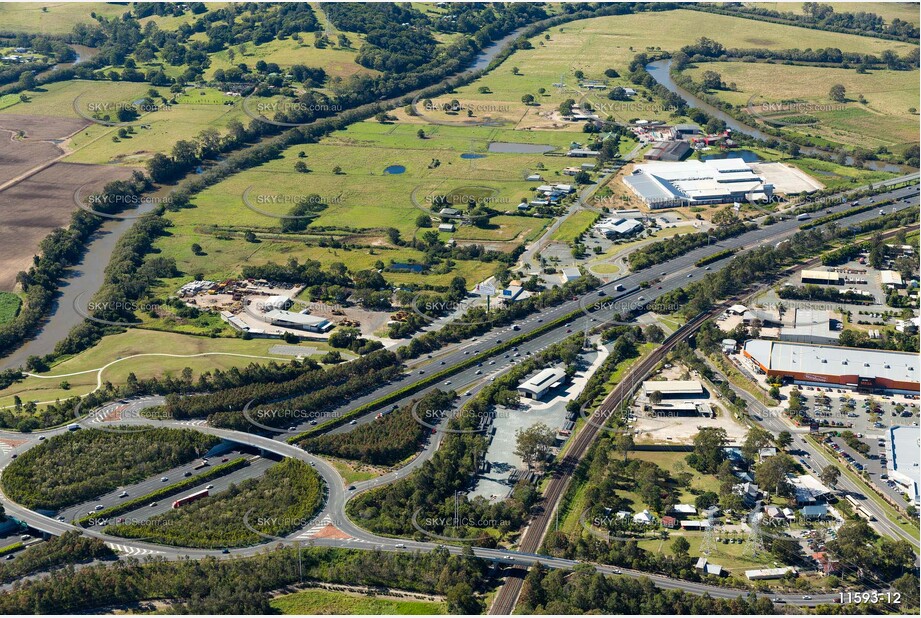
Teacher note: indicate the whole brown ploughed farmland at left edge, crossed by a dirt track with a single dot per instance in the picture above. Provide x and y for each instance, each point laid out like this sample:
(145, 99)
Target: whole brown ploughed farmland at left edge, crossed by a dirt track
(36, 191)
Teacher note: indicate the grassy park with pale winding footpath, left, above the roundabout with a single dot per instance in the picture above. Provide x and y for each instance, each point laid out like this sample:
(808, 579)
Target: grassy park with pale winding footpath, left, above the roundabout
(135, 342)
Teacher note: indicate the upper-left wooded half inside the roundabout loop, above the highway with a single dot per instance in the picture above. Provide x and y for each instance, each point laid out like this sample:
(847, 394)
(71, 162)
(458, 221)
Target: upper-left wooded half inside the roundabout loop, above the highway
(70, 468)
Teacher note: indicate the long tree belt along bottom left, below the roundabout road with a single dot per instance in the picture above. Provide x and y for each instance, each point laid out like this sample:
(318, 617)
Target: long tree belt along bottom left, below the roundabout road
(245, 586)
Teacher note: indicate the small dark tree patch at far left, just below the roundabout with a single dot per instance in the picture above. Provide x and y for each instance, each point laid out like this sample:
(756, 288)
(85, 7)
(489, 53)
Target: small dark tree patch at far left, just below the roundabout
(69, 548)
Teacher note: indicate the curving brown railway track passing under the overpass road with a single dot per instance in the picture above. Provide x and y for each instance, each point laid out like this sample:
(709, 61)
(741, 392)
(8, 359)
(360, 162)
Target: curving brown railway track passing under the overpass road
(507, 597)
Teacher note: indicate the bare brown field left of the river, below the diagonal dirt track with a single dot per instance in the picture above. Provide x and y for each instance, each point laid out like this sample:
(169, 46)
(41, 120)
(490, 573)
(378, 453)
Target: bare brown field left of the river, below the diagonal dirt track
(31, 208)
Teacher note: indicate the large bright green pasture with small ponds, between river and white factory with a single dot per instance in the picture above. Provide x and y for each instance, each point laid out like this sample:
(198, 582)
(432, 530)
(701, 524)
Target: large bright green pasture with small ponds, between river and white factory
(362, 201)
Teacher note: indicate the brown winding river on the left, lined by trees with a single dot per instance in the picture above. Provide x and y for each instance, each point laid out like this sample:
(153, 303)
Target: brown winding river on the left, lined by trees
(85, 279)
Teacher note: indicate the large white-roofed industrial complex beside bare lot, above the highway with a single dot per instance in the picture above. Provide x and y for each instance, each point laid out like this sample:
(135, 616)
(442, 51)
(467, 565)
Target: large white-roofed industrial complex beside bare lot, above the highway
(715, 181)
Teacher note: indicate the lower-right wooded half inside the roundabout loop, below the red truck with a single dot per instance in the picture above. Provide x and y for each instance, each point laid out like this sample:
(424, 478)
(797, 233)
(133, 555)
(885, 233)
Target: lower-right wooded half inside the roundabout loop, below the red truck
(285, 498)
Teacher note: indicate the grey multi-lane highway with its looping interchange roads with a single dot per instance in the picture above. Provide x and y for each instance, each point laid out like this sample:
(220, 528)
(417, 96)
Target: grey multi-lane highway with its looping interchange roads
(675, 274)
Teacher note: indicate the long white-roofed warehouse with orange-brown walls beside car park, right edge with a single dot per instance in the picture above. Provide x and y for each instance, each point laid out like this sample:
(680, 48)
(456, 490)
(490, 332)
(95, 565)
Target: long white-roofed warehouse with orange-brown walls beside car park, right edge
(859, 368)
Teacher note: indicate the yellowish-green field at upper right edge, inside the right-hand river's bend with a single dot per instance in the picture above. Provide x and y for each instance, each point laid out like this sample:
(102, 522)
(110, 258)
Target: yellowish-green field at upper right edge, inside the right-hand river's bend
(883, 121)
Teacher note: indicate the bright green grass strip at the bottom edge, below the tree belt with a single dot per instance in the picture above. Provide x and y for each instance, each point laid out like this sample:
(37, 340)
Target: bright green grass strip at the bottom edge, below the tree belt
(326, 602)
